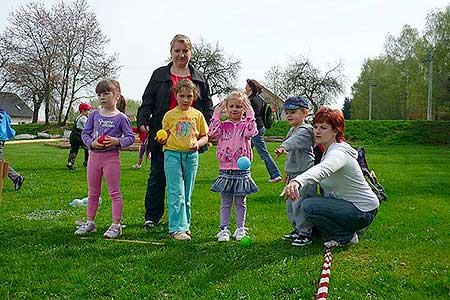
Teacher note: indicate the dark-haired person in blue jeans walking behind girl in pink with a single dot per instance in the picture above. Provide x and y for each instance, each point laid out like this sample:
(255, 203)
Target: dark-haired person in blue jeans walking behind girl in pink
(253, 89)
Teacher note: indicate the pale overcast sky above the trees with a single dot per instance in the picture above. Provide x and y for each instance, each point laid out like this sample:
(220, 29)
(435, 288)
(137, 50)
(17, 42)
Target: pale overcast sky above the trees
(259, 33)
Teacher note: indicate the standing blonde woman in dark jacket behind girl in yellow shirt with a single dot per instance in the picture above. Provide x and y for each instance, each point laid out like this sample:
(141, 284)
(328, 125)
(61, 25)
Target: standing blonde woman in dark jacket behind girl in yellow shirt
(158, 98)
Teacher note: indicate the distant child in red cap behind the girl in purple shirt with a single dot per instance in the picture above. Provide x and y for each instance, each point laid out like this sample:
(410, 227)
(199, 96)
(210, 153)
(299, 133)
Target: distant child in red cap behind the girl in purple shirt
(75, 137)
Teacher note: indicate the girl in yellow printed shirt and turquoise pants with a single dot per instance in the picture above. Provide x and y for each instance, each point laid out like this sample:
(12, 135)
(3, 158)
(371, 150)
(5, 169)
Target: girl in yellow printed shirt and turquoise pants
(187, 130)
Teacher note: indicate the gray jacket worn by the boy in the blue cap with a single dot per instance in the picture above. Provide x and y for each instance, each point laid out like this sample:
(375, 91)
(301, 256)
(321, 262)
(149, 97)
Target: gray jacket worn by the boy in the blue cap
(299, 145)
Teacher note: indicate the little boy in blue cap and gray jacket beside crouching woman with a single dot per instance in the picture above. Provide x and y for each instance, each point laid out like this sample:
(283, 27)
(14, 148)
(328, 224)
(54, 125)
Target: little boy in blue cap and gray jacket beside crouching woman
(298, 147)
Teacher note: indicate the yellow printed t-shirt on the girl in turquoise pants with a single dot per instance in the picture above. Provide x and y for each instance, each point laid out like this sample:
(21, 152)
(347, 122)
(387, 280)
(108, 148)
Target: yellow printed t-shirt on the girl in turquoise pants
(184, 127)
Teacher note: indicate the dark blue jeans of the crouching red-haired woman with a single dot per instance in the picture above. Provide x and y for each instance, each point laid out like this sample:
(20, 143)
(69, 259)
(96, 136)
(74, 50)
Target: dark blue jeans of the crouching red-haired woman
(337, 219)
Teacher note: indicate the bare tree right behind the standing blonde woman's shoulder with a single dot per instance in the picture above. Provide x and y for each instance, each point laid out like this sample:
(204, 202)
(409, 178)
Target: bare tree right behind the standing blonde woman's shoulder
(220, 71)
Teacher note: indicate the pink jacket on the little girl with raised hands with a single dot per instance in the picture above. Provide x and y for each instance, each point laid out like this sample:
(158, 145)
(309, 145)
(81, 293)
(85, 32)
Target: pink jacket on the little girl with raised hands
(233, 139)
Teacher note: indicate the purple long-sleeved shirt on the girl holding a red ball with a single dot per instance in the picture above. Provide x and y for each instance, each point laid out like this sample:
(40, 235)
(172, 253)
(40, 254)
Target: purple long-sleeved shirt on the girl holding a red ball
(118, 126)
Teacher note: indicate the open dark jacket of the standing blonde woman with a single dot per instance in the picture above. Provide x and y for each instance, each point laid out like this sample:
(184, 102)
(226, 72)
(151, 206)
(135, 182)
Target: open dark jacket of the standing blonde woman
(156, 98)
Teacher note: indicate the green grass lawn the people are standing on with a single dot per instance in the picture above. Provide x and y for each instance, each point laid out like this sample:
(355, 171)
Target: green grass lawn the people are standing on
(404, 254)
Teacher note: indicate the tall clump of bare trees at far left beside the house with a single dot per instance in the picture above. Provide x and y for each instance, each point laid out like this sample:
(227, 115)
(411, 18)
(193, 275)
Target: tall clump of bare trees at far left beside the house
(58, 55)
